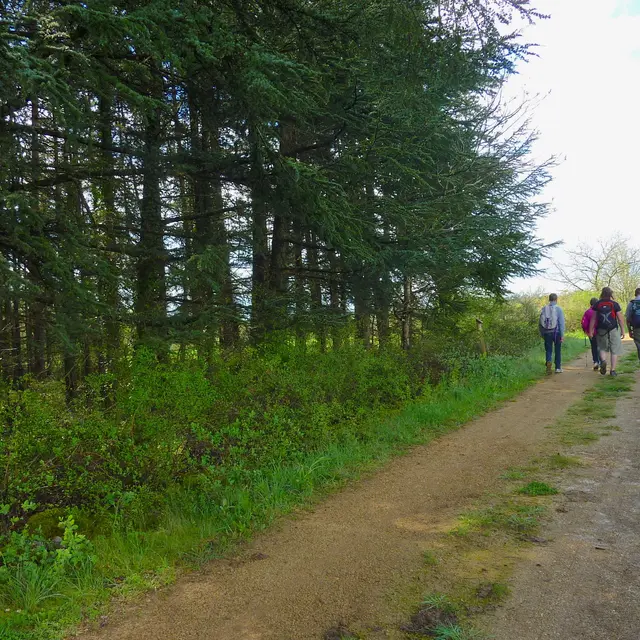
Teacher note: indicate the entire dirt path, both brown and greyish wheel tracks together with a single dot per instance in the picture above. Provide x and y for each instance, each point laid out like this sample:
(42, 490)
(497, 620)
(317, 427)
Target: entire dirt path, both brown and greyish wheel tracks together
(357, 564)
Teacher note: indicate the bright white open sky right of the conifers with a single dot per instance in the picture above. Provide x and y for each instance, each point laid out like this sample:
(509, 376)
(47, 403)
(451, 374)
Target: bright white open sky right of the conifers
(589, 65)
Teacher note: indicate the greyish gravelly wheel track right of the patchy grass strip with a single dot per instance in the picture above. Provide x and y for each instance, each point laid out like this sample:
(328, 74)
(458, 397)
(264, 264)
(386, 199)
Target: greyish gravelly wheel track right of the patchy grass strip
(585, 584)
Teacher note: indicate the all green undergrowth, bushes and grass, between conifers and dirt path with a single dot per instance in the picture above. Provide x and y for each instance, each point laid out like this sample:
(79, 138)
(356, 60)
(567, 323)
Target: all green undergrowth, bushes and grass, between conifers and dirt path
(207, 491)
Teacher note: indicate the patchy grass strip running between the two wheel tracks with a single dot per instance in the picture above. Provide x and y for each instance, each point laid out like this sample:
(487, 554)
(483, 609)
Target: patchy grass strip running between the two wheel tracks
(467, 571)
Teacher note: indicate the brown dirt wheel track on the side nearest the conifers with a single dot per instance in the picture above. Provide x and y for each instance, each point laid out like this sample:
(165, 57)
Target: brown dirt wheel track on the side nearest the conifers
(342, 561)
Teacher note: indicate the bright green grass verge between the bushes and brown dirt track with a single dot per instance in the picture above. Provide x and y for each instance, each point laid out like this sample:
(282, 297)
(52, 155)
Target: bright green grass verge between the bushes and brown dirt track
(194, 527)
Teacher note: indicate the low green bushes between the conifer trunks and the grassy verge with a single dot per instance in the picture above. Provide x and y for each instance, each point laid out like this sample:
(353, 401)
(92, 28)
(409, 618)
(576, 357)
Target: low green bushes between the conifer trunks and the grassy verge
(191, 422)
